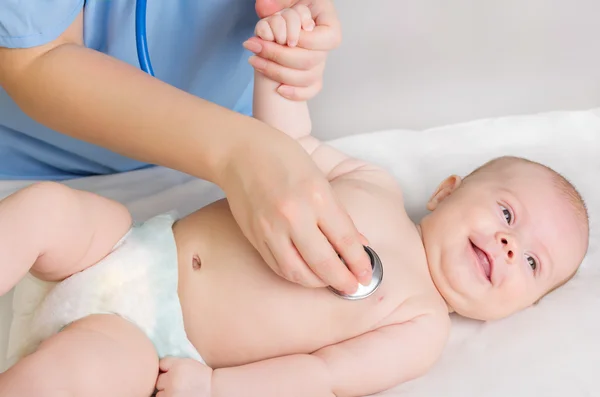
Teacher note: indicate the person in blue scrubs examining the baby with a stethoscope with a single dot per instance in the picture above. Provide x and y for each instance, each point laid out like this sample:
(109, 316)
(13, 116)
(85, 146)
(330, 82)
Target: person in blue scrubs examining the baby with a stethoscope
(74, 102)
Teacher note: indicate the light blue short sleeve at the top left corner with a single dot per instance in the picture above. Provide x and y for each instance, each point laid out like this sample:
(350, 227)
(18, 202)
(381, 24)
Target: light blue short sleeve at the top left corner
(29, 23)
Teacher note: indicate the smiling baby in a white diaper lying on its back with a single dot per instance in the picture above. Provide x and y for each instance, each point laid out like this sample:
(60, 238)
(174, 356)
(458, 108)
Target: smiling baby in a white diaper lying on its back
(190, 301)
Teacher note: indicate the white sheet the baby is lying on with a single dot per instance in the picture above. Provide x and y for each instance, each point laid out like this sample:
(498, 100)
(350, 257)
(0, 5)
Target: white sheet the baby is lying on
(549, 350)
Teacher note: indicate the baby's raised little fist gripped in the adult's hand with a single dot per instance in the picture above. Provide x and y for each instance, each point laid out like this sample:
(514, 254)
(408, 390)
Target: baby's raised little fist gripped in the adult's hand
(284, 27)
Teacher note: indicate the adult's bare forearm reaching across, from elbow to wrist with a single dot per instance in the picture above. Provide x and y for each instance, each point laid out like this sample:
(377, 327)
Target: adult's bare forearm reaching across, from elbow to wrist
(93, 97)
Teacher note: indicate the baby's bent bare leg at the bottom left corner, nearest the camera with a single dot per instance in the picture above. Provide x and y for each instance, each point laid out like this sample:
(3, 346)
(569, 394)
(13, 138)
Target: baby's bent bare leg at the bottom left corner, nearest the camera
(100, 355)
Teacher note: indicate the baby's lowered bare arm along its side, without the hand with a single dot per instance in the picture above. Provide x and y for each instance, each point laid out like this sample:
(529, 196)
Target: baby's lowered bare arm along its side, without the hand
(370, 363)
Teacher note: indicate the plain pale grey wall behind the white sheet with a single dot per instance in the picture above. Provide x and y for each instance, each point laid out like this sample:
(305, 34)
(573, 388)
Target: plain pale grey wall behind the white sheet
(422, 63)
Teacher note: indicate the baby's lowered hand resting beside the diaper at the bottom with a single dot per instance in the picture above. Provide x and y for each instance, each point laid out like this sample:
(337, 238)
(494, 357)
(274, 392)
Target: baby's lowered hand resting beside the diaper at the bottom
(183, 377)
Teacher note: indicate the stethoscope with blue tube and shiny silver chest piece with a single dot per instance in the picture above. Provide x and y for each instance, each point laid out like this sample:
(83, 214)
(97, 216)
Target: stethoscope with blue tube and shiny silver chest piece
(144, 59)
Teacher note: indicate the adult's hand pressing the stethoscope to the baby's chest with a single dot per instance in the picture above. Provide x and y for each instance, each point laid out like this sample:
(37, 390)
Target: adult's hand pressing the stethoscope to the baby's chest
(289, 213)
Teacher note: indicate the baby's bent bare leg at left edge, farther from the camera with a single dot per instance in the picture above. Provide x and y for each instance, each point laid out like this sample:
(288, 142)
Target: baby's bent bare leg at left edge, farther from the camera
(56, 231)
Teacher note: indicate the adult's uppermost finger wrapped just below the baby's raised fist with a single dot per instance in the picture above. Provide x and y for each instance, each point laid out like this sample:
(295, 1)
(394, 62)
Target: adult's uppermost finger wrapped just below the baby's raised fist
(289, 57)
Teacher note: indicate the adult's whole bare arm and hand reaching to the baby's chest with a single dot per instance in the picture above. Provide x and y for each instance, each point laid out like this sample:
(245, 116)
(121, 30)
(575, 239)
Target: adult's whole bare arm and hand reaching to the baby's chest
(90, 96)
